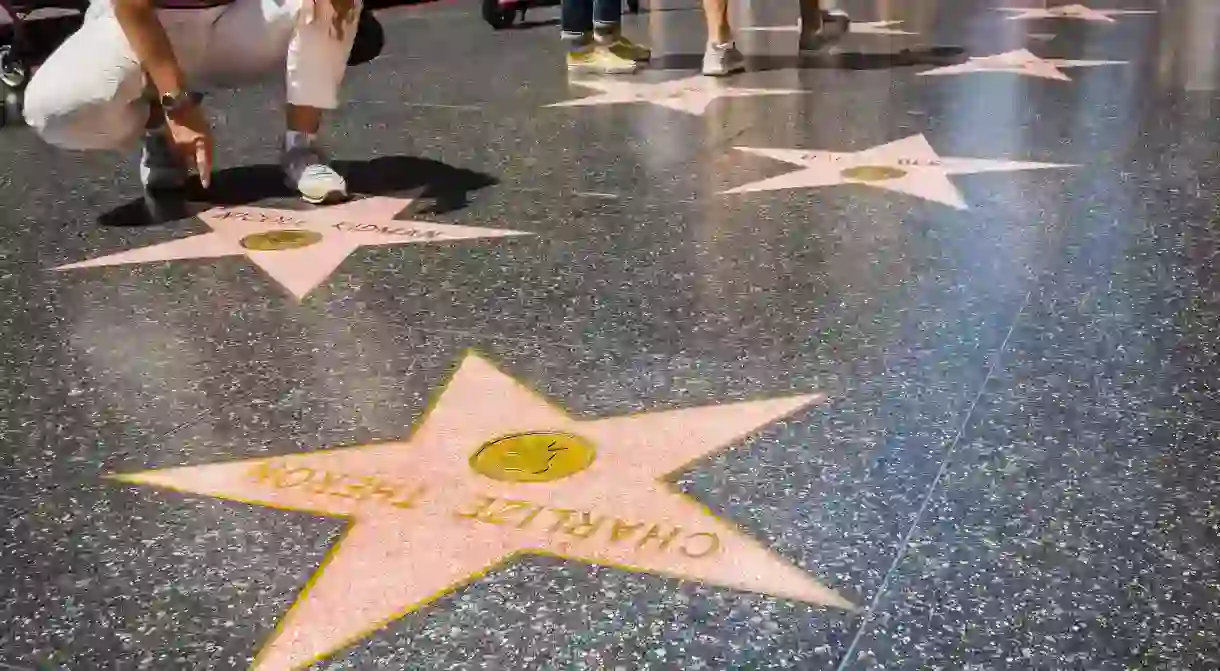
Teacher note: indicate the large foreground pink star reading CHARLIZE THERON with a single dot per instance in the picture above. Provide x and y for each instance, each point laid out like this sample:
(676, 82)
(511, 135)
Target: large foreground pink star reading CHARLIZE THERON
(491, 473)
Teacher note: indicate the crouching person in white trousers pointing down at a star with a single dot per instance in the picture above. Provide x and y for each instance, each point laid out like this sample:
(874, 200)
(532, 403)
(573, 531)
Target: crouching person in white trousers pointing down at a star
(136, 71)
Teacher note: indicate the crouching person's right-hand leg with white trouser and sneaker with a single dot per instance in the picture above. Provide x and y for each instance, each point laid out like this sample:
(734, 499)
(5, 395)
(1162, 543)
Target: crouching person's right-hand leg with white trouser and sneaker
(314, 38)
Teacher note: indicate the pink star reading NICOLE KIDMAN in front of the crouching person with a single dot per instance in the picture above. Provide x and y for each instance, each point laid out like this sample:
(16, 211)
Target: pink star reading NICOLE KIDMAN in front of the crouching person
(300, 249)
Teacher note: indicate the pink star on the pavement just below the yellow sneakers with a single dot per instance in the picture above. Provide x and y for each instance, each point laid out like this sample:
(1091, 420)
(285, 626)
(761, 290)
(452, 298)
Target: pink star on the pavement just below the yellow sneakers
(691, 96)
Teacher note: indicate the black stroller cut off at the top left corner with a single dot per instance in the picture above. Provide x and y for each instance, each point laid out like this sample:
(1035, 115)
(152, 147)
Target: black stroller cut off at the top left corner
(24, 48)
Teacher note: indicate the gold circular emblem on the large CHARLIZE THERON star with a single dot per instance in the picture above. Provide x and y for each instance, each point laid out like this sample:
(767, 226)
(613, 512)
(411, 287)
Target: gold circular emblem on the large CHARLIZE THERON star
(537, 457)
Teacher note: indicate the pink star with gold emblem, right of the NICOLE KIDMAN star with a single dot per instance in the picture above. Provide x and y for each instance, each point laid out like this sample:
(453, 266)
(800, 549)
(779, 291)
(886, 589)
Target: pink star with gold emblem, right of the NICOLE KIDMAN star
(910, 167)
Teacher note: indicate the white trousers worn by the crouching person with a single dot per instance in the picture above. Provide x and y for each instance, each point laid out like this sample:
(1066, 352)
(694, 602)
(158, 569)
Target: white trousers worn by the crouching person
(91, 93)
